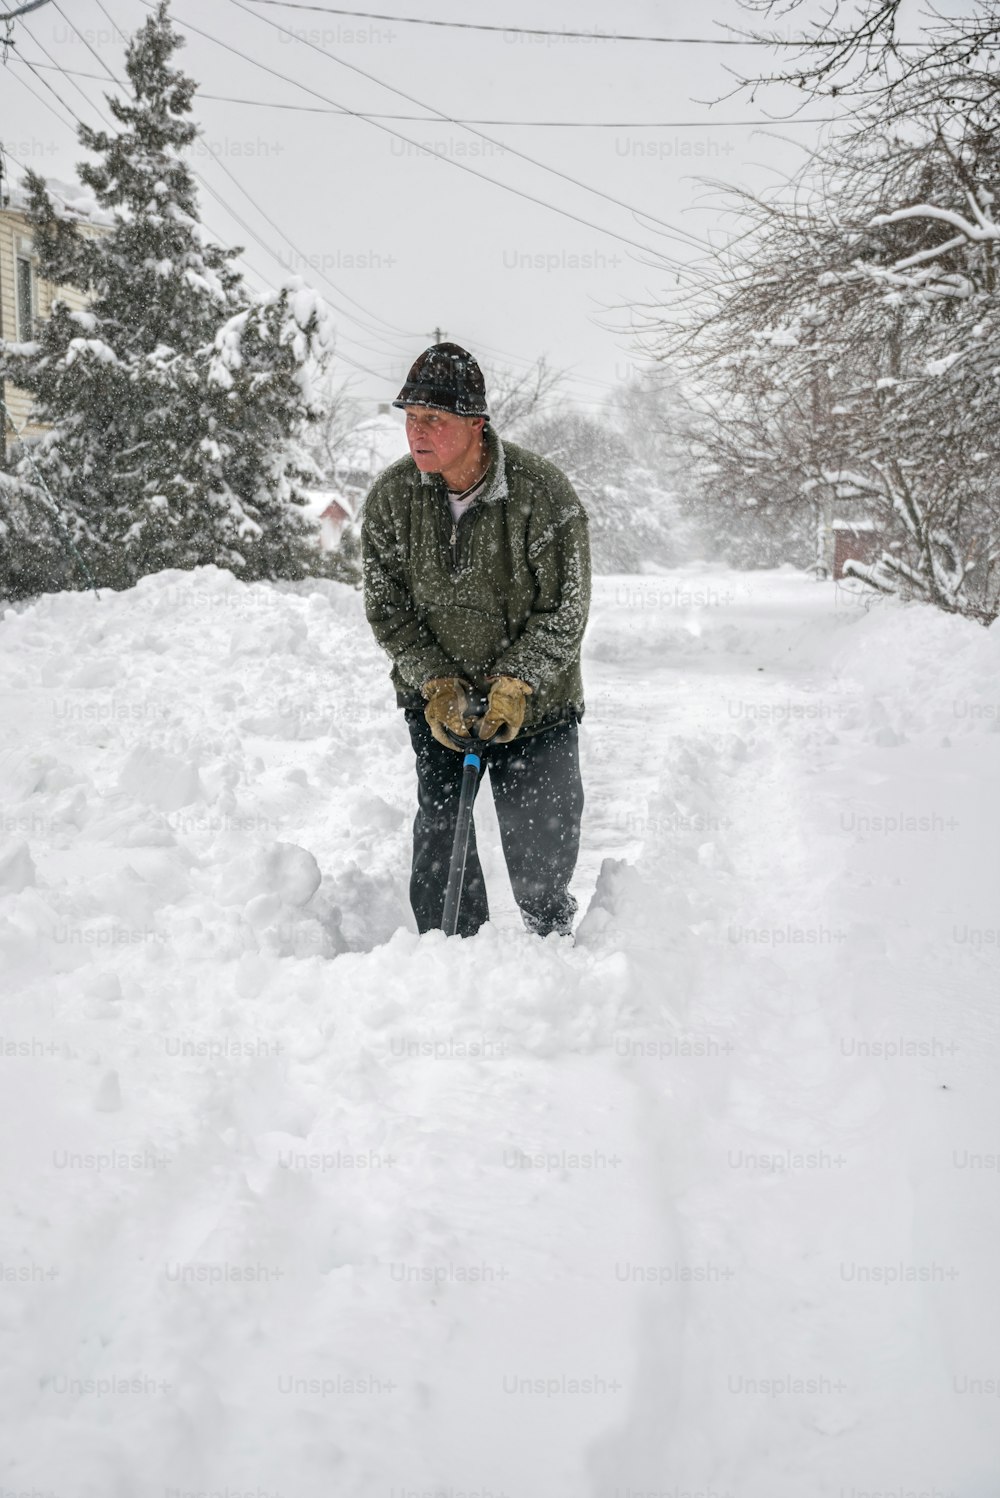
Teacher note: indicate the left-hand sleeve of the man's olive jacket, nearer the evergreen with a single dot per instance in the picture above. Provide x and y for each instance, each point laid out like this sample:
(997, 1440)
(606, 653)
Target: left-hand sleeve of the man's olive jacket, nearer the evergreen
(390, 606)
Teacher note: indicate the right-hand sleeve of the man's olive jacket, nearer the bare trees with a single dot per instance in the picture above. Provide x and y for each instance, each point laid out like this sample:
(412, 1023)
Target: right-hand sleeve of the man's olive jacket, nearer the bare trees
(559, 558)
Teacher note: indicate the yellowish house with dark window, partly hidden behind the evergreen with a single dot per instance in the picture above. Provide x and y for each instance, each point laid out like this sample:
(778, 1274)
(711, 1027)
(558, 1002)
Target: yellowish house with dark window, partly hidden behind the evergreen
(25, 297)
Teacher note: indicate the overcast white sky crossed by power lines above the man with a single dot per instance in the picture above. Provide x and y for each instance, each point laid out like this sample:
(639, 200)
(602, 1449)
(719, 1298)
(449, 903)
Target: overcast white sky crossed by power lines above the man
(415, 242)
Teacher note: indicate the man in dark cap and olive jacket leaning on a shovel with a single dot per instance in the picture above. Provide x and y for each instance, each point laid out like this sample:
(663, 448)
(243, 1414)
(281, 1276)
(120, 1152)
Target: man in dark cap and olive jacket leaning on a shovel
(477, 577)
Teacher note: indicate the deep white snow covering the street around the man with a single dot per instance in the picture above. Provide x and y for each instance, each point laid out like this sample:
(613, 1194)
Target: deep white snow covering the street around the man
(300, 1204)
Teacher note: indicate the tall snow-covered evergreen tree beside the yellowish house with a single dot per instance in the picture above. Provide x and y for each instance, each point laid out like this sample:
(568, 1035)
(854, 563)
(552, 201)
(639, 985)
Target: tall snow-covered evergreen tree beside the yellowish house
(177, 399)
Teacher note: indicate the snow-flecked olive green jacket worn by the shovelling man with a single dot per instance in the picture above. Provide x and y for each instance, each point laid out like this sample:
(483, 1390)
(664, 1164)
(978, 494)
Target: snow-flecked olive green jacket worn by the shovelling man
(505, 591)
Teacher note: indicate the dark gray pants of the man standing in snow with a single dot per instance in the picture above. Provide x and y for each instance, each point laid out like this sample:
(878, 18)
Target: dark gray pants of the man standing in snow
(540, 799)
